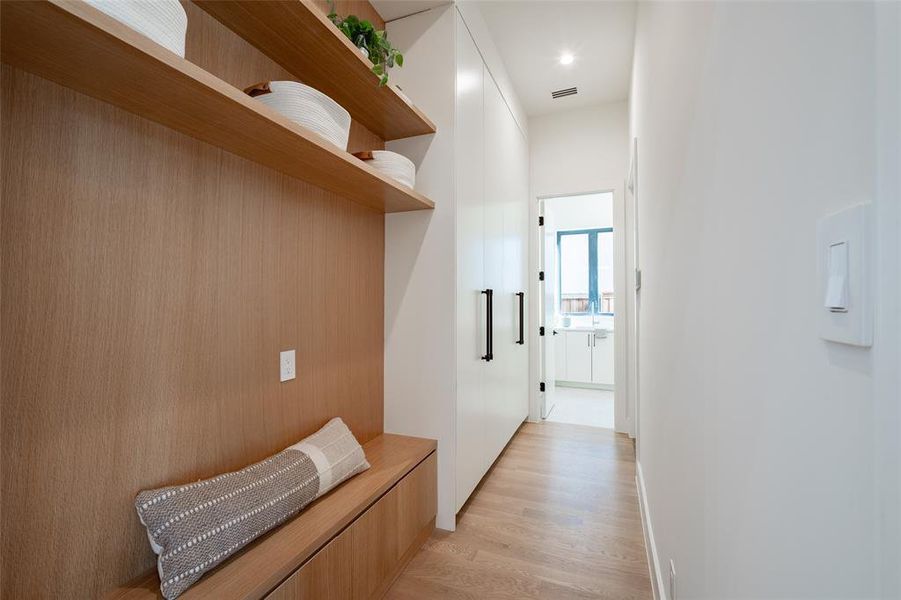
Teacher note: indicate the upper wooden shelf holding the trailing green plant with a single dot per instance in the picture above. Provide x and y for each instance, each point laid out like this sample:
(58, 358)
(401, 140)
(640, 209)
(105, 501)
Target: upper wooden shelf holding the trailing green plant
(295, 34)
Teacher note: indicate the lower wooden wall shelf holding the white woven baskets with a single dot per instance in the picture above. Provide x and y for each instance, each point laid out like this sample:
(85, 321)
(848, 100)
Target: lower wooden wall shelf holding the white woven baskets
(77, 46)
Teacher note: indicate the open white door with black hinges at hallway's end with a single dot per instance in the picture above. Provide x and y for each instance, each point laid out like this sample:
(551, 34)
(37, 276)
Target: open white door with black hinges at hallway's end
(548, 264)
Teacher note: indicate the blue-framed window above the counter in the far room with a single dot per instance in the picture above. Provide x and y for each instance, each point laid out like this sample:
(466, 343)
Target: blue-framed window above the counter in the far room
(585, 265)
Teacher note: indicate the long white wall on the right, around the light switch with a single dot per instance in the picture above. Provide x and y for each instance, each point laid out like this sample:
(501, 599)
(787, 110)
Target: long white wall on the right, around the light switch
(770, 457)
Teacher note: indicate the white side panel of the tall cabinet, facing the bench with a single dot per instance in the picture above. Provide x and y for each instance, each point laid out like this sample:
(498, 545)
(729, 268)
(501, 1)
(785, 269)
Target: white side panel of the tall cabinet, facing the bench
(420, 256)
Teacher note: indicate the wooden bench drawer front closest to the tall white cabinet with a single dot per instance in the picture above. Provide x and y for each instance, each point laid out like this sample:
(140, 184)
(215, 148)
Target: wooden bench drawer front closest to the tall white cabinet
(387, 535)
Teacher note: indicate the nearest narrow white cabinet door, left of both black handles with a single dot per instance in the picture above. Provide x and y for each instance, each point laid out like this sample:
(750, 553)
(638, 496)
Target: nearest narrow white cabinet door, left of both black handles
(471, 305)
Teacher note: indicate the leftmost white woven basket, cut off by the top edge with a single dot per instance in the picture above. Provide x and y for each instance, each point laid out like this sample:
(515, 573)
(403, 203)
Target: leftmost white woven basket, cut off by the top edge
(163, 21)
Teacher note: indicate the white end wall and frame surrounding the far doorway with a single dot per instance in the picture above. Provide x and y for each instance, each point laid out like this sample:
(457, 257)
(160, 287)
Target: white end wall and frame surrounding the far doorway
(574, 152)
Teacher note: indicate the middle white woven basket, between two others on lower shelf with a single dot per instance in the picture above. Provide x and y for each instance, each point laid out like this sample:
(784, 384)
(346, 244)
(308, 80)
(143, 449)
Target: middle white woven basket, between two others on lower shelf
(306, 106)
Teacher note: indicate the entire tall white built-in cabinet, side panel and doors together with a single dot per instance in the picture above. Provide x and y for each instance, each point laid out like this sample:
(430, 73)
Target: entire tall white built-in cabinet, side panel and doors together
(439, 380)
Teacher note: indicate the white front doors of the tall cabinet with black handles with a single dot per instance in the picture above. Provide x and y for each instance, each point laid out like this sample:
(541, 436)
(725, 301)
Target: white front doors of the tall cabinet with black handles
(492, 199)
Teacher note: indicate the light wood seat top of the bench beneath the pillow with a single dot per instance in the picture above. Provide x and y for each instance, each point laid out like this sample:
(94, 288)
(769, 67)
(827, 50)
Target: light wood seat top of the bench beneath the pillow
(266, 562)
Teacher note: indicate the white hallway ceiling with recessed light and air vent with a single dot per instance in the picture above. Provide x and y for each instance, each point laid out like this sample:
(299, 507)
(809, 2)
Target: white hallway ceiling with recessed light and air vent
(532, 34)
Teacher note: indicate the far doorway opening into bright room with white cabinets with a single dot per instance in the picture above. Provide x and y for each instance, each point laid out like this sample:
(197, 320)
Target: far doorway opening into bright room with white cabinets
(577, 262)
